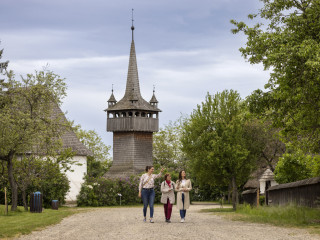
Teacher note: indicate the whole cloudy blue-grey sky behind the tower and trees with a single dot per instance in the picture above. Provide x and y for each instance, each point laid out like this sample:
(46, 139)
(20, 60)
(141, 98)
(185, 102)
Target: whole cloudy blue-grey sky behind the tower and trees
(184, 47)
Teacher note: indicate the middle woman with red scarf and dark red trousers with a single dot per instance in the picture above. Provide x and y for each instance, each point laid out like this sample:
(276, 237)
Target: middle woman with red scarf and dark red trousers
(167, 197)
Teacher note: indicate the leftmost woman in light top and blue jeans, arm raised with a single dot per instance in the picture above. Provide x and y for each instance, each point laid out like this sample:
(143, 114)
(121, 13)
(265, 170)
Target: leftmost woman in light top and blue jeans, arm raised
(146, 190)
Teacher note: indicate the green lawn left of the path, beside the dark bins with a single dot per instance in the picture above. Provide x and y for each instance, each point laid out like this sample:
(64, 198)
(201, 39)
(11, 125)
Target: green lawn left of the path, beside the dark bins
(22, 222)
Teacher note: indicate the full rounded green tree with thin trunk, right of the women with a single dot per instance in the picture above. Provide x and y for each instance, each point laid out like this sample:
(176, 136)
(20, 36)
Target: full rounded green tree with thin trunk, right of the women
(213, 139)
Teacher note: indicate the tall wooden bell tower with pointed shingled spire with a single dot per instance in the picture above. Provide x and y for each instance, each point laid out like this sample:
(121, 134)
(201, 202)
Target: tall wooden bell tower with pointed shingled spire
(132, 121)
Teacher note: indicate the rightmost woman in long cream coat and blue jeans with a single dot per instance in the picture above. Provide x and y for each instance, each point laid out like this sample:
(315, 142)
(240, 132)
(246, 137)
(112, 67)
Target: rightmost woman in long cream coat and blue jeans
(183, 187)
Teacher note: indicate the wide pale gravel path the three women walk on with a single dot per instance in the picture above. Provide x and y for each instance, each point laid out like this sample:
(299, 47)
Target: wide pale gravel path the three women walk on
(126, 223)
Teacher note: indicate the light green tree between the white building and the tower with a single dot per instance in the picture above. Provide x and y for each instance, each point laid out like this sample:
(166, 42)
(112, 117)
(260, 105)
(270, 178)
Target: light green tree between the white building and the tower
(100, 161)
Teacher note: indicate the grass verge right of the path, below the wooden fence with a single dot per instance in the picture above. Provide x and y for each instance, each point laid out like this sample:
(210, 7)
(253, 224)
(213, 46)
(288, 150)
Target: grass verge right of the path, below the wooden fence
(286, 216)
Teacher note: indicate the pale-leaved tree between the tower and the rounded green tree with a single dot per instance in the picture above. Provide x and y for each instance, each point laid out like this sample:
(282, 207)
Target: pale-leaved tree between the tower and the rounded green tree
(167, 150)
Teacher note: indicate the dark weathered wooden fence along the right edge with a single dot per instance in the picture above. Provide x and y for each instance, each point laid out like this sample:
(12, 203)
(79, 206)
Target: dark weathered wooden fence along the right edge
(304, 193)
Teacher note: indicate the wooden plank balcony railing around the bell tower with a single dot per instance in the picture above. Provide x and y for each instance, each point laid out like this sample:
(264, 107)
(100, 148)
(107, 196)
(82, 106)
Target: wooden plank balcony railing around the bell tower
(141, 124)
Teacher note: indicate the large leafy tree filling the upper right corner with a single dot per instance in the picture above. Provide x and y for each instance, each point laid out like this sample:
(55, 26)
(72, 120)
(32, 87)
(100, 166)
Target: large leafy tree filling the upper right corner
(289, 47)
